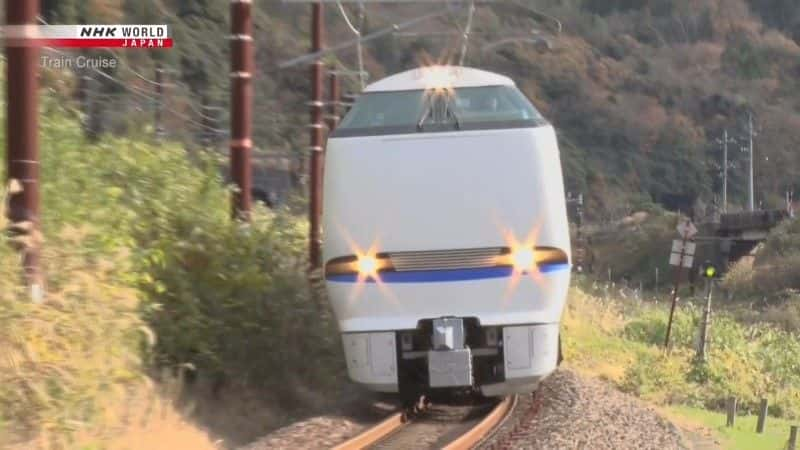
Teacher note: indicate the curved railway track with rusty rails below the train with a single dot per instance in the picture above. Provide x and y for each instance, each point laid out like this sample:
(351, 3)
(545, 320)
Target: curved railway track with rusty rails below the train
(449, 427)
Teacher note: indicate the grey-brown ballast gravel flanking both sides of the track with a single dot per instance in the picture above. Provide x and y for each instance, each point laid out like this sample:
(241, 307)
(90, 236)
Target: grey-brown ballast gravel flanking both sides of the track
(567, 412)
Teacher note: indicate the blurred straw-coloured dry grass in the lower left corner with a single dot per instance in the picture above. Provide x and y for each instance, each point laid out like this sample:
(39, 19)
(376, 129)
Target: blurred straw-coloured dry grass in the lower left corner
(70, 375)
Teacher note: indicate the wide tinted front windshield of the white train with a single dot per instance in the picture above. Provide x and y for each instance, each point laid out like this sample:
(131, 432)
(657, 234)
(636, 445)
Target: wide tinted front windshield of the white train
(466, 108)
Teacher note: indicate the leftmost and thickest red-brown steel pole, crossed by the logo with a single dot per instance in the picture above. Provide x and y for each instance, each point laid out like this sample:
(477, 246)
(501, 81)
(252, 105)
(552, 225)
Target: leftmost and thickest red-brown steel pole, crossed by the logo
(22, 121)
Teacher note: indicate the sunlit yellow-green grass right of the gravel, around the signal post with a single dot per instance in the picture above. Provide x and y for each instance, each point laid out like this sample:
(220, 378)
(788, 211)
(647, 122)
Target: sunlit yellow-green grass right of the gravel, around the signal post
(622, 341)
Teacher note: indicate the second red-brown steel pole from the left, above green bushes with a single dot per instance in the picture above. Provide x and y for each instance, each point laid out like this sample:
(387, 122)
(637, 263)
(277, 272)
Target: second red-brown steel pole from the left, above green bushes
(241, 145)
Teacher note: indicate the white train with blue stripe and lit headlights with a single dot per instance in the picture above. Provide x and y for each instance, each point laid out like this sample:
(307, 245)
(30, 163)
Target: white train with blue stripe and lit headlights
(446, 243)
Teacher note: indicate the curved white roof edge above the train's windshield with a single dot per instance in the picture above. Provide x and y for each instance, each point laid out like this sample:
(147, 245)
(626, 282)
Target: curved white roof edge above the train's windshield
(439, 77)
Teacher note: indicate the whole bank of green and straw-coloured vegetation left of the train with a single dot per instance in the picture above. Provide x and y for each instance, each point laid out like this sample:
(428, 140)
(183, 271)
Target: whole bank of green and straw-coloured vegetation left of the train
(148, 279)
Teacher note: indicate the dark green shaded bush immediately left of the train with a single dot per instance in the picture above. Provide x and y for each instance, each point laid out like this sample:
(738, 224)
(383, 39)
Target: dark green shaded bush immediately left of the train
(234, 300)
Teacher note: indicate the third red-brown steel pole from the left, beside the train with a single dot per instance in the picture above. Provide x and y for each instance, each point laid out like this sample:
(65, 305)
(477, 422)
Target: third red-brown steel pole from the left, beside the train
(315, 188)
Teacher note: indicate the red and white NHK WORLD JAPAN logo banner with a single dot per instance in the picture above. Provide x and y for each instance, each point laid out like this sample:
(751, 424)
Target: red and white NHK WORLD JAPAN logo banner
(89, 36)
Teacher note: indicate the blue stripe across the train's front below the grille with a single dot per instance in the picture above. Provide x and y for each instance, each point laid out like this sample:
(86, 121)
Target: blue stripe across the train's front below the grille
(438, 276)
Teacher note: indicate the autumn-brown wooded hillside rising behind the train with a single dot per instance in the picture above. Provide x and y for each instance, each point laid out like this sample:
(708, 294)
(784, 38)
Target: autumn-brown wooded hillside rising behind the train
(639, 90)
